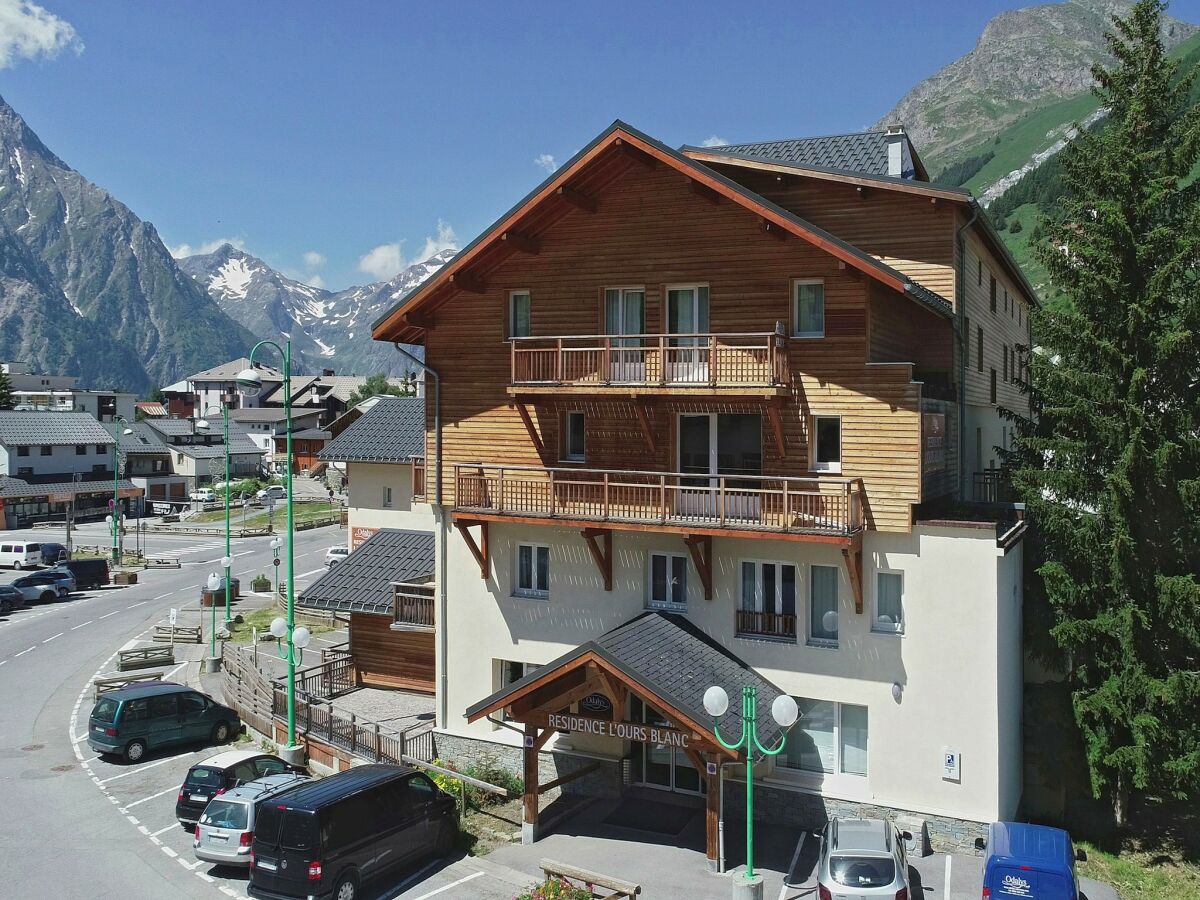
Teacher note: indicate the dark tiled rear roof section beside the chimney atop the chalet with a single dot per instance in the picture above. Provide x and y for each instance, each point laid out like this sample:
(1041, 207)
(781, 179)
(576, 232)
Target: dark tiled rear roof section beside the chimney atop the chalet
(865, 152)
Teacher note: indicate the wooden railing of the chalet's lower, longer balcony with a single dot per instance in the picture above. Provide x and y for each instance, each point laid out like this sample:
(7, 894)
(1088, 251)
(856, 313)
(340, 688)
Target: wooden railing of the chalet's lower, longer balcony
(802, 506)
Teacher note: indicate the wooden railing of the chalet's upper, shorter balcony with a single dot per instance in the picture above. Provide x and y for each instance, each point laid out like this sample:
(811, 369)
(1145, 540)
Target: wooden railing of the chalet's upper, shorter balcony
(736, 361)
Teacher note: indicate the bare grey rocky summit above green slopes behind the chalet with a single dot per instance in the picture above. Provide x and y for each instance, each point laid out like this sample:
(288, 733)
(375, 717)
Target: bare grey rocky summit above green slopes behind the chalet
(1025, 62)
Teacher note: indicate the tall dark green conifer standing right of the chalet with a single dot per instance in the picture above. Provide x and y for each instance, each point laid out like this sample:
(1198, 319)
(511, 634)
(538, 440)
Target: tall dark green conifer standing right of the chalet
(1111, 466)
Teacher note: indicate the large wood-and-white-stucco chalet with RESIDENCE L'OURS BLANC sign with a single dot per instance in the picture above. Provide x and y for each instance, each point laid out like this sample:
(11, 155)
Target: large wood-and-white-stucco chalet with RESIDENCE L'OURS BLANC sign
(723, 416)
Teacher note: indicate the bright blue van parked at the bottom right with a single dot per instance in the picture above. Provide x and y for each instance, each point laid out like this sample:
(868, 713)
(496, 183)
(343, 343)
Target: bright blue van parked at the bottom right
(1028, 861)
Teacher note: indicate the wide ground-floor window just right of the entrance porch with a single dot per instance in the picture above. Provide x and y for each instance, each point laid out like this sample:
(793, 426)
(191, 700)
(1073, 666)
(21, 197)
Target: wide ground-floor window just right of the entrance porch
(830, 739)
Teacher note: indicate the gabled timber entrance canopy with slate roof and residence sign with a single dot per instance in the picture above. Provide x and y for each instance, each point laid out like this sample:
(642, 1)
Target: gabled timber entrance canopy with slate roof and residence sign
(663, 659)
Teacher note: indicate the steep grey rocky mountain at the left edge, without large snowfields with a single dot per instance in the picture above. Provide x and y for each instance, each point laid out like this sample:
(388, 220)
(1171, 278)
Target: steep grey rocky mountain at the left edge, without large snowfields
(87, 287)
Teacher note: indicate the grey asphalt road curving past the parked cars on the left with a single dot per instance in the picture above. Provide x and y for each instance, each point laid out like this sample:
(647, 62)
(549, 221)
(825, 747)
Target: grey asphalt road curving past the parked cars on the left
(62, 836)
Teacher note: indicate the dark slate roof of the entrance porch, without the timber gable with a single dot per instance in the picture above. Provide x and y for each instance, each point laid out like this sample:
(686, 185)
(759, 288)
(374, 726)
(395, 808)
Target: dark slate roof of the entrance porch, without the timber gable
(675, 661)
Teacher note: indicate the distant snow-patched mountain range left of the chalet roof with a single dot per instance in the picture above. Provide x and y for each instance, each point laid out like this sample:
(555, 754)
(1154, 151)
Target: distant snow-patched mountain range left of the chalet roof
(328, 329)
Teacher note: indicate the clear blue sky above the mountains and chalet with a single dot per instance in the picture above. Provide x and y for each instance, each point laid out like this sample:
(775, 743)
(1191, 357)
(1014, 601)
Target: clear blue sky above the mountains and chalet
(319, 133)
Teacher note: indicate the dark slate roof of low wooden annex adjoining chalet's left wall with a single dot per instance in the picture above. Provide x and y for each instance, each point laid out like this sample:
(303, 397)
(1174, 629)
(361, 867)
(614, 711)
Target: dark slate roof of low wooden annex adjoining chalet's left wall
(363, 583)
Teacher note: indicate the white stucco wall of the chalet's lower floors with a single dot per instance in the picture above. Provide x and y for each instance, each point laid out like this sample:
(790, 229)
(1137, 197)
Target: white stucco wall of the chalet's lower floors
(947, 661)
